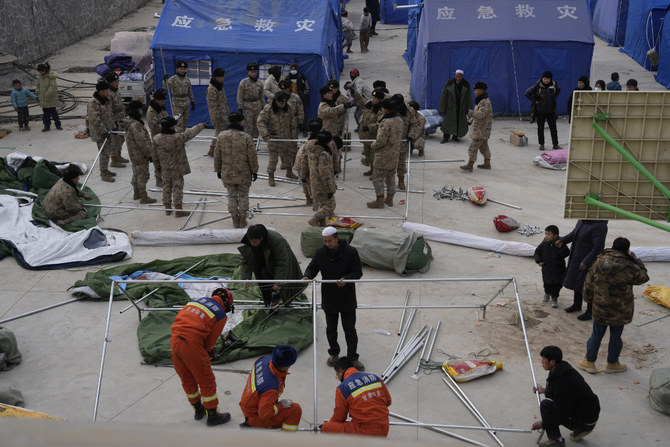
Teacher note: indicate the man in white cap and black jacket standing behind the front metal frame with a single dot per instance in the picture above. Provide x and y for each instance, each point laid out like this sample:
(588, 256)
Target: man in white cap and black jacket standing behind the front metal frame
(337, 260)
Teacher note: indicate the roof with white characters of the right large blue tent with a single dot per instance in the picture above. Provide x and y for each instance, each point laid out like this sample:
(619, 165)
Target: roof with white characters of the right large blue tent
(537, 20)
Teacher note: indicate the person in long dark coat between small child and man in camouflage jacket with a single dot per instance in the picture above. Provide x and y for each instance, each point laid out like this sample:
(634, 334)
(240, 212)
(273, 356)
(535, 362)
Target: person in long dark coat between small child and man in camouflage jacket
(588, 239)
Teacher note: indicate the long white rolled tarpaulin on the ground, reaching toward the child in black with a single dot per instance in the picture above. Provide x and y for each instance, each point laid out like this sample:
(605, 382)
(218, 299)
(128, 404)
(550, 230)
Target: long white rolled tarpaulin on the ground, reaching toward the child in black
(469, 240)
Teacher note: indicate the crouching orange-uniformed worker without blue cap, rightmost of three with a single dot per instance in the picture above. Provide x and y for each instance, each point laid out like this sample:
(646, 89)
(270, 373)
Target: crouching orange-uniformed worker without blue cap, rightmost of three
(363, 396)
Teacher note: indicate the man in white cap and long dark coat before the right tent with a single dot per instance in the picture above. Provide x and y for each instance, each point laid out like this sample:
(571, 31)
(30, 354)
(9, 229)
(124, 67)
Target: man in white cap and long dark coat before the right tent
(455, 101)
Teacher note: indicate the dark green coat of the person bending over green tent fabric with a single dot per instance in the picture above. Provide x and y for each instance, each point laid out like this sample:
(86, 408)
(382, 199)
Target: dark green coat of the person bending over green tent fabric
(279, 260)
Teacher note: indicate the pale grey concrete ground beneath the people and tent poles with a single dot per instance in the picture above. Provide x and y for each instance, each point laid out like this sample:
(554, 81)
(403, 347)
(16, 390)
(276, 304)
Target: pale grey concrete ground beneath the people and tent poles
(62, 347)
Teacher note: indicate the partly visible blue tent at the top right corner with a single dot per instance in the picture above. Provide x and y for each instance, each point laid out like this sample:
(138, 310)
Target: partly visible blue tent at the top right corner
(643, 31)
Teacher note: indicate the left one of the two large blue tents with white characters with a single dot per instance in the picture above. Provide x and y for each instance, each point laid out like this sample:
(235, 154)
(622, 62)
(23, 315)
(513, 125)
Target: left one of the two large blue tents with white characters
(229, 34)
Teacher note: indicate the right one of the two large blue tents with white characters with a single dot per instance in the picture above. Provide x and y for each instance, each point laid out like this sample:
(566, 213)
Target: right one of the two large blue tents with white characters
(521, 41)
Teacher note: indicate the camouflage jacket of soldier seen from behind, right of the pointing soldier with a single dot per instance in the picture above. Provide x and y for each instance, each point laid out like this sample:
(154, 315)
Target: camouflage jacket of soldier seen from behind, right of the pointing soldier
(235, 157)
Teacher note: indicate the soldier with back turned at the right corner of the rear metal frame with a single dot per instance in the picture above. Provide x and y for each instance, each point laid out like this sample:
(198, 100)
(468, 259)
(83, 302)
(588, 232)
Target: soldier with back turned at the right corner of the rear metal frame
(386, 147)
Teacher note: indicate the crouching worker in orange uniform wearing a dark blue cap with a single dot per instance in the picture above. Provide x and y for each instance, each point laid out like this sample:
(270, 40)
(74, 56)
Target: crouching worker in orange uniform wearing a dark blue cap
(260, 401)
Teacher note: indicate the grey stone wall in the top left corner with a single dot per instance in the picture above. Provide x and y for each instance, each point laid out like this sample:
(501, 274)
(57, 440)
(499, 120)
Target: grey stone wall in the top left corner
(34, 29)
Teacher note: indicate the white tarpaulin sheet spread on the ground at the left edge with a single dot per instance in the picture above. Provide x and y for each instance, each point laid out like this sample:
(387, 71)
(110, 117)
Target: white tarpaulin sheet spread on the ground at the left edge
(38, 247)
